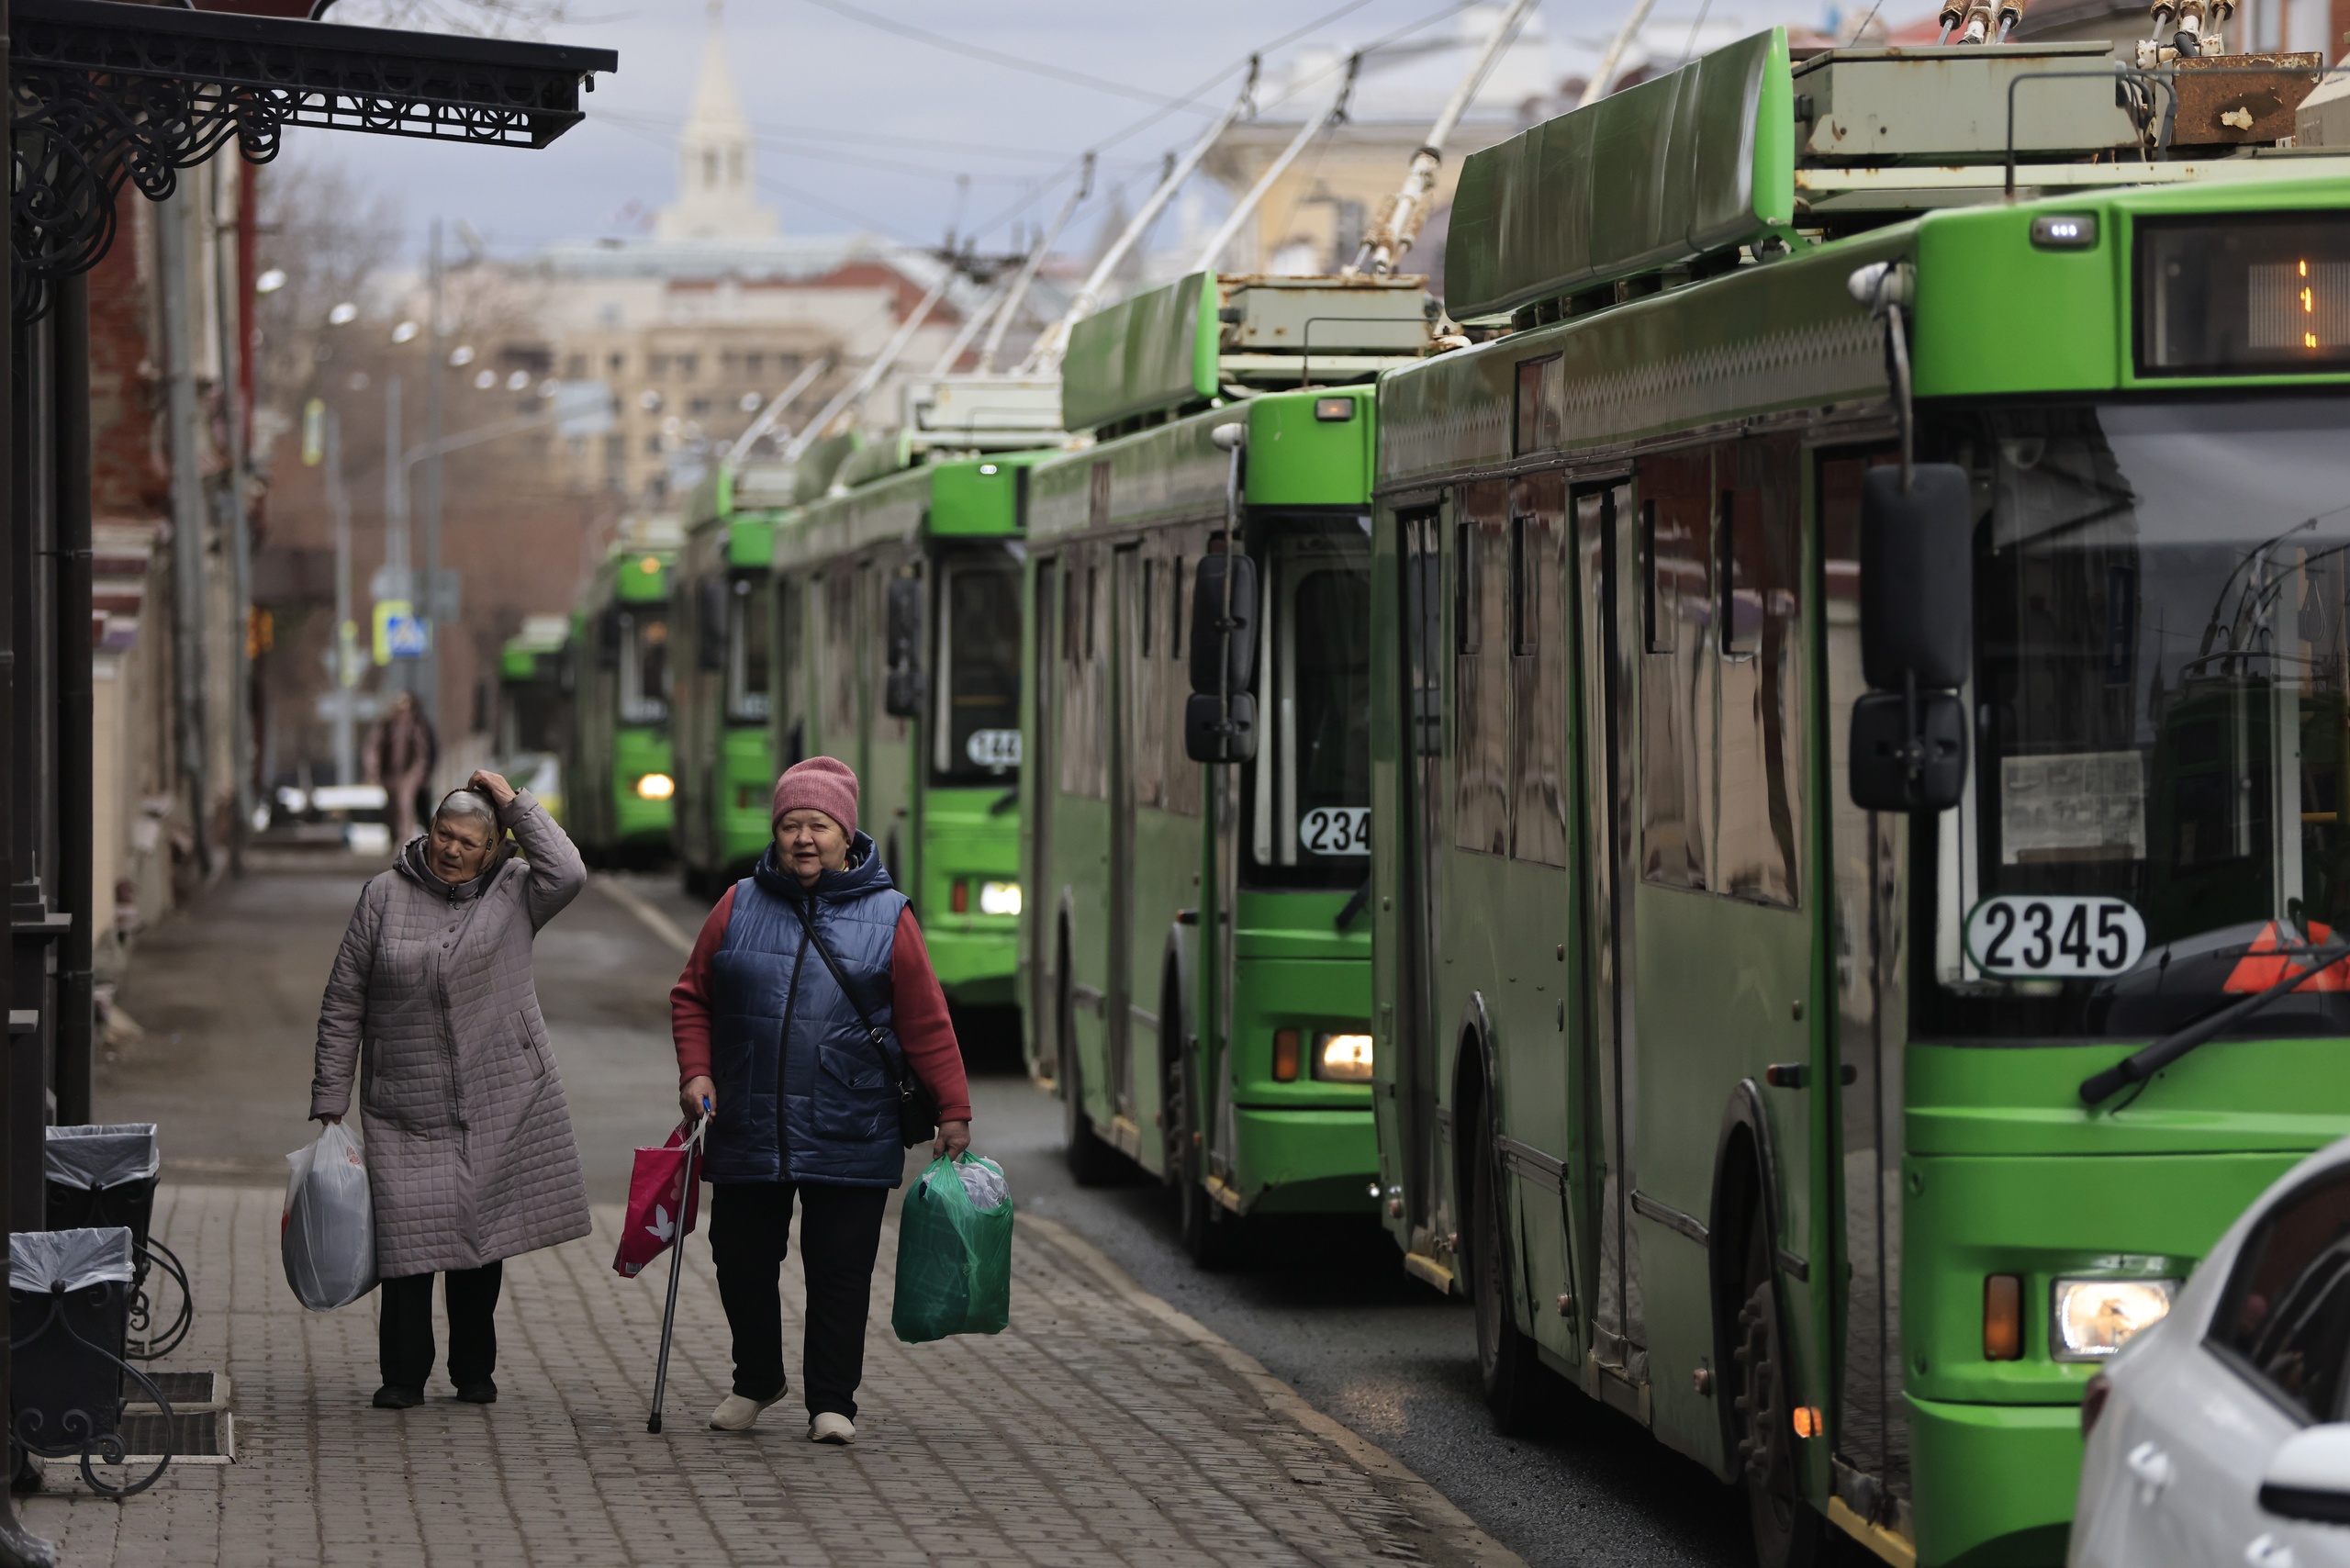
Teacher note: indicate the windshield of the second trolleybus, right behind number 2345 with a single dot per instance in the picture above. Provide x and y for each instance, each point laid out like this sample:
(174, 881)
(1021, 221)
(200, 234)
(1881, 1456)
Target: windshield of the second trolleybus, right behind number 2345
(1308, 817)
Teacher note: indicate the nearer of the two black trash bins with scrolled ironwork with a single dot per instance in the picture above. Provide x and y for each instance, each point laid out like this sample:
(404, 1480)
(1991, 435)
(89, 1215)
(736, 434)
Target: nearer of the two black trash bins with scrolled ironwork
(69, 1311)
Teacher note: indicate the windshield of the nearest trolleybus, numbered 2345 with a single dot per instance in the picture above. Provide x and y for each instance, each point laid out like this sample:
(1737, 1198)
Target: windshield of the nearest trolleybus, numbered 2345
(2156, 817)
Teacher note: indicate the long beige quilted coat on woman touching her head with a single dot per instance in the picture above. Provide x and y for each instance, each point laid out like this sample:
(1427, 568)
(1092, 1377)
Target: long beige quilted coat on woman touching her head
(431, 1000)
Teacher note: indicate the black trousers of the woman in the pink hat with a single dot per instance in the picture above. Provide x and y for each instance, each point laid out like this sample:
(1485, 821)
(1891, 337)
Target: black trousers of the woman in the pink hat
(840, 1235)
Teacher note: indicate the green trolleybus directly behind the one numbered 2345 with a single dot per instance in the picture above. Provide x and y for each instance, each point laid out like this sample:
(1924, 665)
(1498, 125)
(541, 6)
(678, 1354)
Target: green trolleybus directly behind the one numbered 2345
(1197, 953)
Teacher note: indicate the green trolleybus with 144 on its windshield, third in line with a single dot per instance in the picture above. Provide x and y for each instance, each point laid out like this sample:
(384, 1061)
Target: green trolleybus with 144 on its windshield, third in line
(899, 652)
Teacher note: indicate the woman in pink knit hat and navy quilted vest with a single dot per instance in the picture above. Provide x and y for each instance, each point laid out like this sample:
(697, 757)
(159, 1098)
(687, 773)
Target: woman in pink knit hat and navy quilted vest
(803, 1104)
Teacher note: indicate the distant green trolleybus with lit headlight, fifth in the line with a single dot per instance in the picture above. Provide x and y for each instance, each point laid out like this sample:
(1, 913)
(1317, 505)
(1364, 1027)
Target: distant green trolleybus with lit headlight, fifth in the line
(619, 782)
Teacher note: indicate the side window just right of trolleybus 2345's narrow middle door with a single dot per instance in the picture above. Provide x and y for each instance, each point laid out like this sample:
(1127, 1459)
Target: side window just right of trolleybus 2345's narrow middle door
(1677, 676)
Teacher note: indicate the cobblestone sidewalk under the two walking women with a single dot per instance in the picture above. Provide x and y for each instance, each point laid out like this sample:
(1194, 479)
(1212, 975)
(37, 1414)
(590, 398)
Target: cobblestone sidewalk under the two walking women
(1103, 1428)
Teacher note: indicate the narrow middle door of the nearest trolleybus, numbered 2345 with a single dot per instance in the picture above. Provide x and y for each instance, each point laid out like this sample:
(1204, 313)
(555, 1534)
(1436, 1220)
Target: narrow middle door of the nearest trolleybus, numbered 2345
(1604, 702)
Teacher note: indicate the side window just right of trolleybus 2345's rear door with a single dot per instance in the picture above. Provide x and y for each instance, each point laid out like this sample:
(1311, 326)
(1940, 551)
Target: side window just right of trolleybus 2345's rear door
(1479, 674)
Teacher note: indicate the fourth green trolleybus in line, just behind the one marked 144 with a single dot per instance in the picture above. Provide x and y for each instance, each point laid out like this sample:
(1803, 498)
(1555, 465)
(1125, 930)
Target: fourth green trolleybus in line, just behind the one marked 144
(723, 739)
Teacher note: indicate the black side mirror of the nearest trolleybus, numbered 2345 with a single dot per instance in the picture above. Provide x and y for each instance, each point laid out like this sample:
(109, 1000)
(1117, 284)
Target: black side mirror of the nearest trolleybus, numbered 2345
(1909, 735)
